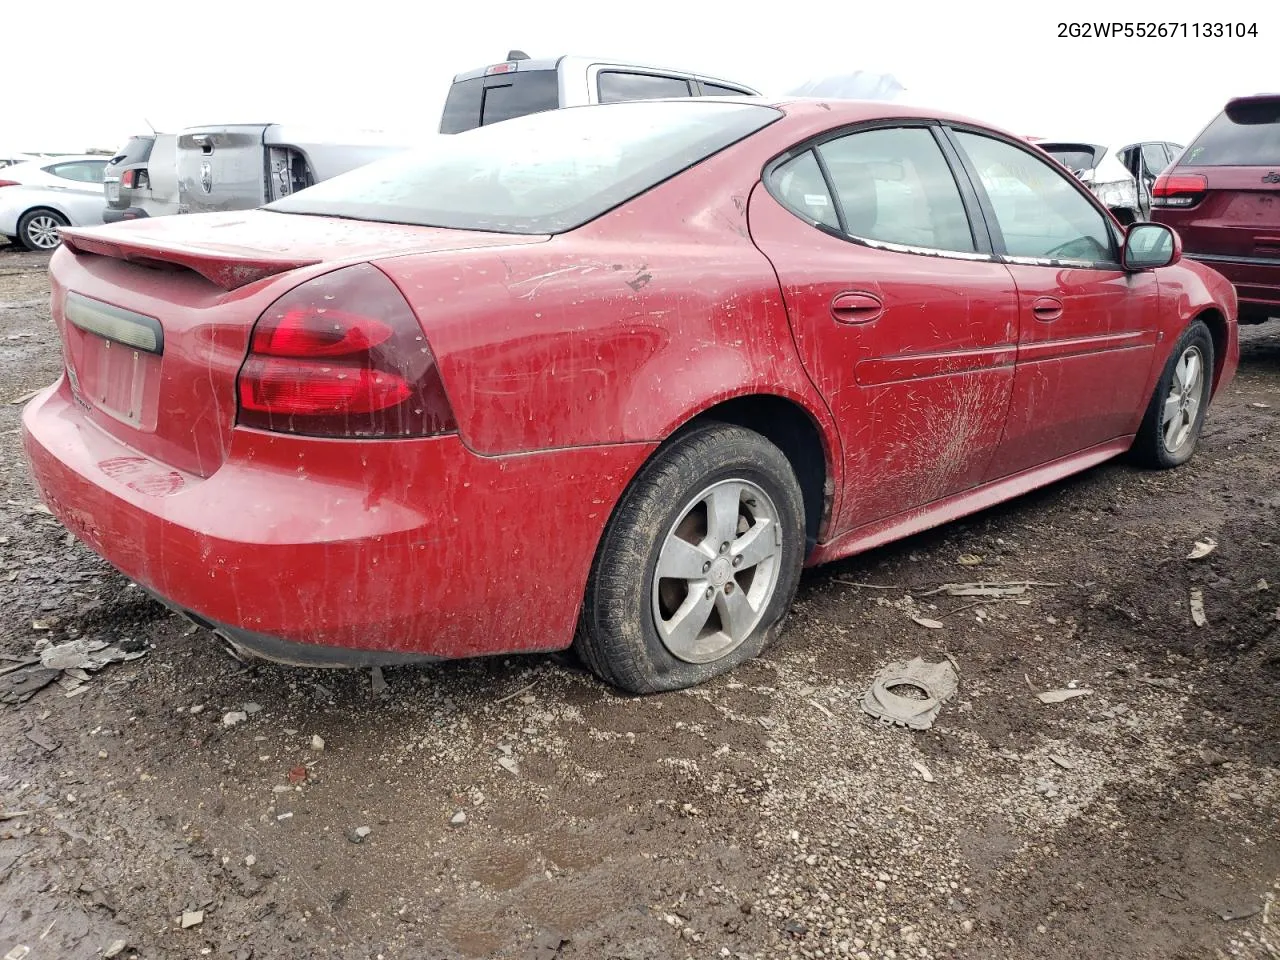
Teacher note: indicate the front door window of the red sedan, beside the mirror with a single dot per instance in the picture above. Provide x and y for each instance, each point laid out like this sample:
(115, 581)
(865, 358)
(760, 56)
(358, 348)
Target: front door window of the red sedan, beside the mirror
(1039, 212)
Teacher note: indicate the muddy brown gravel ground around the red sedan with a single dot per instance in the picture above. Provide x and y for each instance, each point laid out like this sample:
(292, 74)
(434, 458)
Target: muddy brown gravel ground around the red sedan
(761, 816)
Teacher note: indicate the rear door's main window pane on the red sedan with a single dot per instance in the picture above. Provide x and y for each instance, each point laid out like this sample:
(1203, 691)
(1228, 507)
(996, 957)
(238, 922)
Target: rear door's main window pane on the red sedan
(895, 186)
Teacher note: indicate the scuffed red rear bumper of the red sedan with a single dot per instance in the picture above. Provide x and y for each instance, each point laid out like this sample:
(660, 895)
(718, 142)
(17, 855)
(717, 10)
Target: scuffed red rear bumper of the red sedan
(397, 550)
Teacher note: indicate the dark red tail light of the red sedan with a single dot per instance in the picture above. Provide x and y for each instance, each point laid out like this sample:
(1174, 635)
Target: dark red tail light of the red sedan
(342, 355)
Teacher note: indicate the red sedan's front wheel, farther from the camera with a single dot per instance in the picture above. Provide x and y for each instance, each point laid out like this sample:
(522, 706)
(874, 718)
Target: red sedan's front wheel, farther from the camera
(1172, 428)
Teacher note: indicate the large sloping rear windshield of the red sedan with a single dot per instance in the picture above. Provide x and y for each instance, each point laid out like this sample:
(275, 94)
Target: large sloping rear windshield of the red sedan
(547, 173)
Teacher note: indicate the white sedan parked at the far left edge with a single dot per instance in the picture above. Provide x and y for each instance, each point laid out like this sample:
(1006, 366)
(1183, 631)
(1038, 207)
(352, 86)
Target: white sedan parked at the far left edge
(39, 198)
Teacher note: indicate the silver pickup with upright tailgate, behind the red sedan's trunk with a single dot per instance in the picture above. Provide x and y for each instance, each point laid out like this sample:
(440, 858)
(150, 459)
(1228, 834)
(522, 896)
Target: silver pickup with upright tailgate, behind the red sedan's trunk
(245, 166)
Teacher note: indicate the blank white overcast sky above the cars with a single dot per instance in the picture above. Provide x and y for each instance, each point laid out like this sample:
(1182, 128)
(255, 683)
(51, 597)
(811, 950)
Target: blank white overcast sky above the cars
(93, 75)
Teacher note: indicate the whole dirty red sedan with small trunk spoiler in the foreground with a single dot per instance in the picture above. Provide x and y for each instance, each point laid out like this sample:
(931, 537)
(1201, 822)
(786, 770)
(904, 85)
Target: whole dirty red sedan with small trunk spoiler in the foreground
(606, 377)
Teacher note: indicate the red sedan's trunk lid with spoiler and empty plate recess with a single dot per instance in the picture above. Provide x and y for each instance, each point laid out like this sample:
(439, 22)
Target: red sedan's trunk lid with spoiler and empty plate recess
(156, 316)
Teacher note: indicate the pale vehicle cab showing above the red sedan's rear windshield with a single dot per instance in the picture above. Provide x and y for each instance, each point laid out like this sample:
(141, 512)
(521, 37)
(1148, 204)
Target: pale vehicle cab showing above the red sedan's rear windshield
(522, 86)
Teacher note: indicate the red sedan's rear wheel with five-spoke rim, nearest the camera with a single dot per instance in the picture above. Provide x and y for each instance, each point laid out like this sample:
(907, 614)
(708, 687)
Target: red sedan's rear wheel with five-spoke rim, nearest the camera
(698, 566)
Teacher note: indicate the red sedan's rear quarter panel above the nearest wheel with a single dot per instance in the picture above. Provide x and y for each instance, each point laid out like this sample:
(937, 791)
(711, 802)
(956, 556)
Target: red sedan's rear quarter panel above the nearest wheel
(618, 332)
